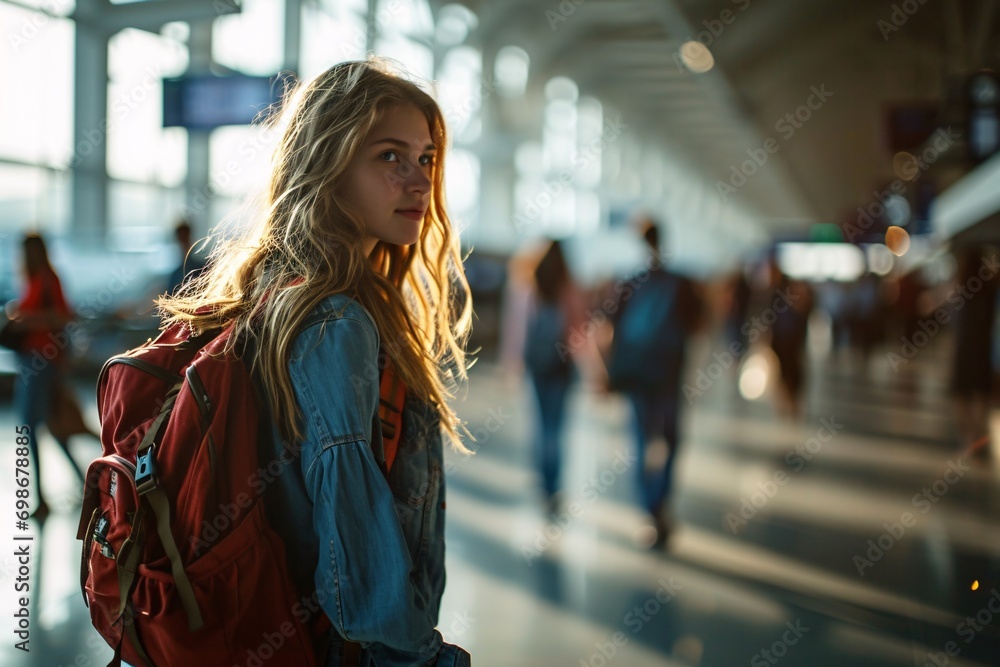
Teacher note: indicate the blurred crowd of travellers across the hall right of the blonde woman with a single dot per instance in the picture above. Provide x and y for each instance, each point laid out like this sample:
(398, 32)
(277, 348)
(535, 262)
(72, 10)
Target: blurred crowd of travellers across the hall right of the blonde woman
(633, 335)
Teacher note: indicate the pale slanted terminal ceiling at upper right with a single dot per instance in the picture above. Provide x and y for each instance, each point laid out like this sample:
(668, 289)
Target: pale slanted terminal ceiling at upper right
(770, 57)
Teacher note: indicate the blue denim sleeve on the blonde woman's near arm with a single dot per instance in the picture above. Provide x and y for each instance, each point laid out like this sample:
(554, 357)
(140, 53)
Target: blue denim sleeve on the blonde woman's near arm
(363, 575)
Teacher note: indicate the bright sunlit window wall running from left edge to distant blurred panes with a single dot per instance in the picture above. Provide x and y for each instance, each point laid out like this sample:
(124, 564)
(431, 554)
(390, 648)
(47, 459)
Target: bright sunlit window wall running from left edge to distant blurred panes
(147, 164)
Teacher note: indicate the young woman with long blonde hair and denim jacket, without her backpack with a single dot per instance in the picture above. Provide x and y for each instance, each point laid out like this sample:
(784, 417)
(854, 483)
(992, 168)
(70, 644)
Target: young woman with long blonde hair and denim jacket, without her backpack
(351, 273)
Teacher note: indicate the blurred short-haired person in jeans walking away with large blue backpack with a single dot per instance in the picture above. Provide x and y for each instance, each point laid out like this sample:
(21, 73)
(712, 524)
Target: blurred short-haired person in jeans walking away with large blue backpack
(652, 321)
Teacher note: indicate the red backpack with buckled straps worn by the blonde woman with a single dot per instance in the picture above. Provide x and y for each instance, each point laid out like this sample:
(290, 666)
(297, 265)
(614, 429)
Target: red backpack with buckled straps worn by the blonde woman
(180, 565)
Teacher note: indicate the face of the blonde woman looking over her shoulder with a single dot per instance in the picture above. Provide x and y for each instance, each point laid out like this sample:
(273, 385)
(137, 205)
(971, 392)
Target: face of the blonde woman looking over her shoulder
(388, 182)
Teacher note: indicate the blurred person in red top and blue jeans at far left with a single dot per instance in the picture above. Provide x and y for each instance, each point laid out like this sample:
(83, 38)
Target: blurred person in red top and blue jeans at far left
(40, 316)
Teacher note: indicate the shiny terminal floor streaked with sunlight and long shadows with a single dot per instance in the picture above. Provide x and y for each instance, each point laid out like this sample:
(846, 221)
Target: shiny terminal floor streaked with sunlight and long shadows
(853, 536)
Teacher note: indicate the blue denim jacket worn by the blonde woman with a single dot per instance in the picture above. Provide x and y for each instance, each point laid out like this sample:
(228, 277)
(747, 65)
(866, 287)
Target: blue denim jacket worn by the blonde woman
(375, 548)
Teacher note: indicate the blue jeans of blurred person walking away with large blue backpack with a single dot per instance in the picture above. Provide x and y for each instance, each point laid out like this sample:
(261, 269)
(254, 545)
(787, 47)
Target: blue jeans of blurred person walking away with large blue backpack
(655, 413)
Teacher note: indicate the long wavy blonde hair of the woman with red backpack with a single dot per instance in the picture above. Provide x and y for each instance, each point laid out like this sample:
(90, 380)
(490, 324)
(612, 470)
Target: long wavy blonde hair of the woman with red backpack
(308, 245)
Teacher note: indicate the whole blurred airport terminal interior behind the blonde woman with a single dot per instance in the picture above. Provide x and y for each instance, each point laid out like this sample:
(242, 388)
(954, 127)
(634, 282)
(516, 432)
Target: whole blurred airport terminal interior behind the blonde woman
(824, 177)
